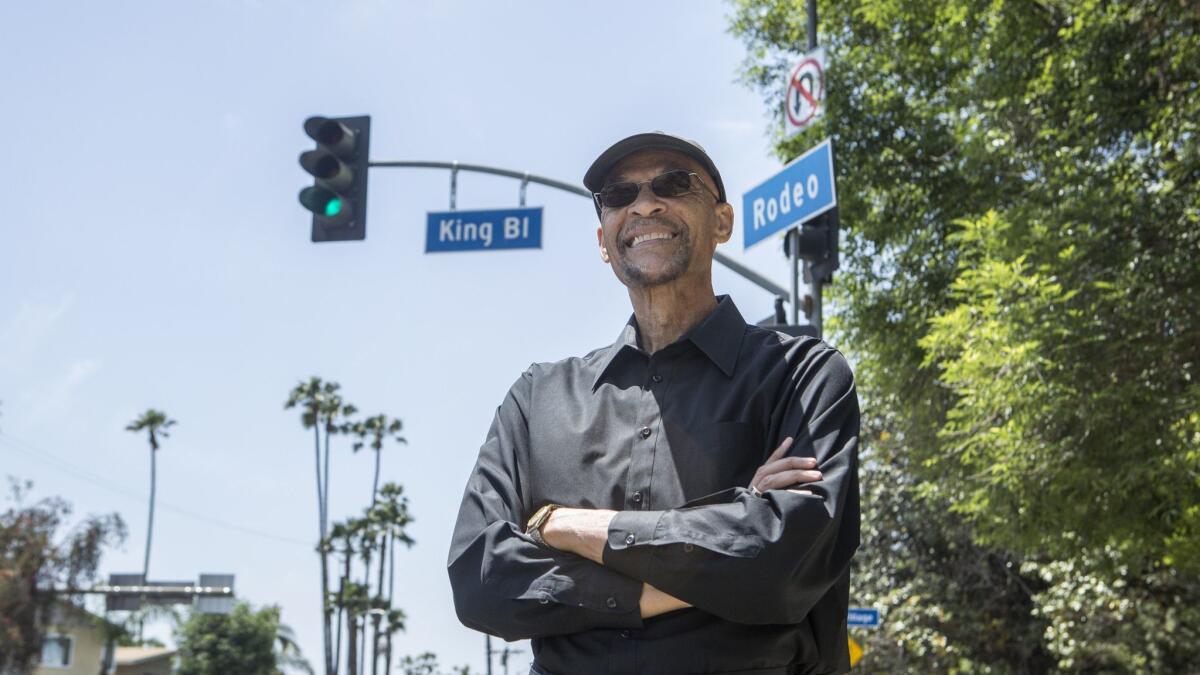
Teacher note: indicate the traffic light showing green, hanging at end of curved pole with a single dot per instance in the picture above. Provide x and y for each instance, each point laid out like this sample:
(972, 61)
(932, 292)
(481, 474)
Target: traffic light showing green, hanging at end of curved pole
(338, 198)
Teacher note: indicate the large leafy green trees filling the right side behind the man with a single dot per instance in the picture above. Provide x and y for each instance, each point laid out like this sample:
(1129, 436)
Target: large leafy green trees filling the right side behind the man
(1018, 186)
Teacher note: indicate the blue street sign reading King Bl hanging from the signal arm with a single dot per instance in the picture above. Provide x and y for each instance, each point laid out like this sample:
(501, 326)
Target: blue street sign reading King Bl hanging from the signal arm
(484, 231)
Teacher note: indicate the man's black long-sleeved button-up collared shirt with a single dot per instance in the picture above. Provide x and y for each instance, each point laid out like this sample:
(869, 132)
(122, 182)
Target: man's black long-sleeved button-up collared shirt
(670, 440)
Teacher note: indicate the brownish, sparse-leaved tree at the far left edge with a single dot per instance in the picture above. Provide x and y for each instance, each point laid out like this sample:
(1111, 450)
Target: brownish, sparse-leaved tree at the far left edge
(41, 561)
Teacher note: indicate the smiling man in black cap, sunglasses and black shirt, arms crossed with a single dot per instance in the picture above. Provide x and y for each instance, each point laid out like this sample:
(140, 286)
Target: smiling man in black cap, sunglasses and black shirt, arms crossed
(685, 500)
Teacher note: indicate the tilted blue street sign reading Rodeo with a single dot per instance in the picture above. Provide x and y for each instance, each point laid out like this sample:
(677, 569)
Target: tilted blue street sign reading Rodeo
(802, 190)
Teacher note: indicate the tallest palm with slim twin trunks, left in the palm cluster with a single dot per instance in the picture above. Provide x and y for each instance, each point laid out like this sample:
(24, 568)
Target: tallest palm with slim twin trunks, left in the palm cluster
(322, 408)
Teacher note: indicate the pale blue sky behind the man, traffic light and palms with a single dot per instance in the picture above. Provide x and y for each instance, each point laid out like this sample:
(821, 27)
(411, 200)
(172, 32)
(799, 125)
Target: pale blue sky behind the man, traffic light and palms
(154, 254)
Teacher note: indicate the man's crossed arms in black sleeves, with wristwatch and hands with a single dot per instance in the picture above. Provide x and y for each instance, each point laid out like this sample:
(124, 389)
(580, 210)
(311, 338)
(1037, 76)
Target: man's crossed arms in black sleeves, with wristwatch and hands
(741, 555)
